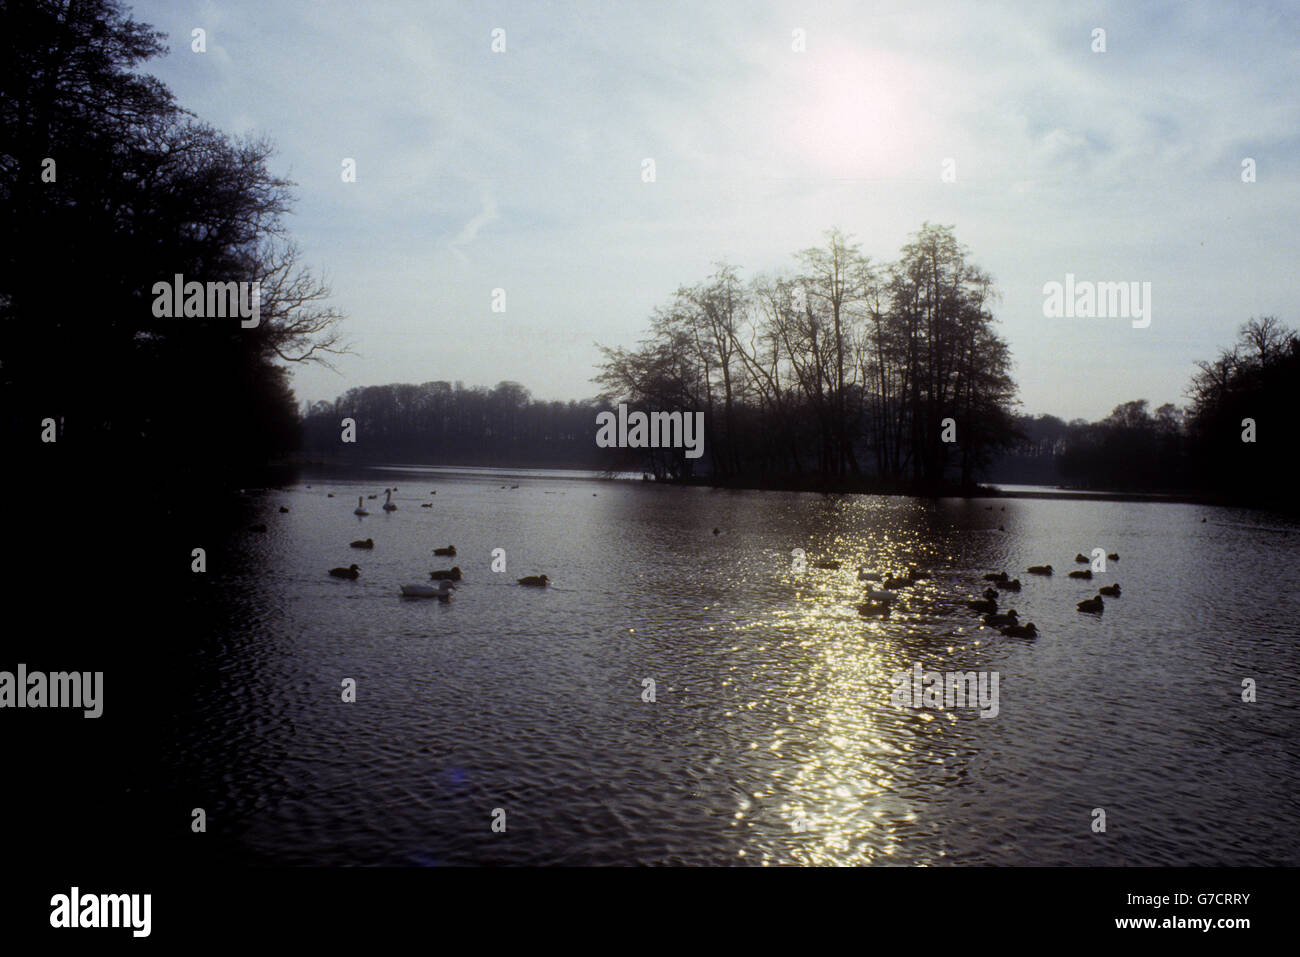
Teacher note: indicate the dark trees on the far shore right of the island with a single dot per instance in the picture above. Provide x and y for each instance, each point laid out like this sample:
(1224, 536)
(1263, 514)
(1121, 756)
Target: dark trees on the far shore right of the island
(1249, 392)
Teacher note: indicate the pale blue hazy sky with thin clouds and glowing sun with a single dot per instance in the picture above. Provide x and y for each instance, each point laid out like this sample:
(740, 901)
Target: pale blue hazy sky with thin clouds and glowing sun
(523, 170)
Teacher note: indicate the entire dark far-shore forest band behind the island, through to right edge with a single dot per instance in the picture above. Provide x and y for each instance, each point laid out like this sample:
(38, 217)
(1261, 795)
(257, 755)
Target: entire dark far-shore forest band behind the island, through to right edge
(1172, 454)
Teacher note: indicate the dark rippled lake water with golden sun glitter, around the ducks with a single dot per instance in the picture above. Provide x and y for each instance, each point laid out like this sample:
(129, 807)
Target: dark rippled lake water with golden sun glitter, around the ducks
(773, 738)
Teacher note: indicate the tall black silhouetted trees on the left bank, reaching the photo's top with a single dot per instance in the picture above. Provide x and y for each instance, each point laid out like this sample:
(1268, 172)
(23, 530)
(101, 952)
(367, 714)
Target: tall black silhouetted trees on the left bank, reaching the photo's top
(107, 188)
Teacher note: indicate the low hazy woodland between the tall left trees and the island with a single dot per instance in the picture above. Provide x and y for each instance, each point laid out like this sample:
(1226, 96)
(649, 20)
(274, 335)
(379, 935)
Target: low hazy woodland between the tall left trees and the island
(445, 425)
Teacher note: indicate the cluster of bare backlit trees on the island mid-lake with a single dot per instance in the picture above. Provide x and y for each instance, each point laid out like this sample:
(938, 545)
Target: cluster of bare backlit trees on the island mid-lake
(838, 371)
